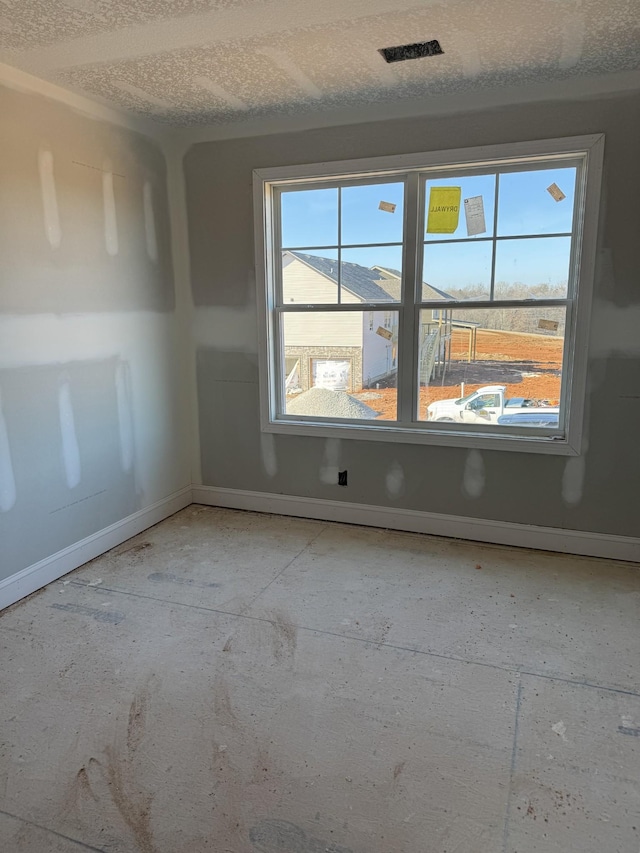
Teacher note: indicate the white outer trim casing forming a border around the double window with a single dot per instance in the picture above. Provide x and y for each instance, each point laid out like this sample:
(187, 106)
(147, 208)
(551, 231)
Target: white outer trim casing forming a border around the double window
(592, 147)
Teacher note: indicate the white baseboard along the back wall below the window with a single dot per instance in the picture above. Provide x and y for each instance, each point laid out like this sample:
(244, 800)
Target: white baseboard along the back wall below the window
(454, 526)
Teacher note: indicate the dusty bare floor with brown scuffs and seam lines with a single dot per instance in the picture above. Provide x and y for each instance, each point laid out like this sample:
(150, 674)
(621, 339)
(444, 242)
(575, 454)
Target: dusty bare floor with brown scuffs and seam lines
(243, 683)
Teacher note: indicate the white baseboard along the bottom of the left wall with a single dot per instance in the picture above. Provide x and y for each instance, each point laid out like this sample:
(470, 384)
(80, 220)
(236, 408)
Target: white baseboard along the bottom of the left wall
(34, 577)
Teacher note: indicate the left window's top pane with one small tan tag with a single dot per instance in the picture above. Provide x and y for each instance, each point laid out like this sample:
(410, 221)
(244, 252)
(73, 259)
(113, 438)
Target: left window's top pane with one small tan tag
(363, 220)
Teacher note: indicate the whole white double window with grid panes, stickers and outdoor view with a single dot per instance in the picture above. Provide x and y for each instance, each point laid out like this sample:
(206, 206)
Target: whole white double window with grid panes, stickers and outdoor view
(437, 298)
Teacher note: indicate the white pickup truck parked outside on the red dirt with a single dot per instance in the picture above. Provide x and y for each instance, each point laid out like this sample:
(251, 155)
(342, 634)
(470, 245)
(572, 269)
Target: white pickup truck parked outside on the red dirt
(485, 405)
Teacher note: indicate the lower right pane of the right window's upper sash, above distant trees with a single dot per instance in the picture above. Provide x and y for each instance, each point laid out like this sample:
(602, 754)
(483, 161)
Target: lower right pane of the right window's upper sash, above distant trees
(532, 269)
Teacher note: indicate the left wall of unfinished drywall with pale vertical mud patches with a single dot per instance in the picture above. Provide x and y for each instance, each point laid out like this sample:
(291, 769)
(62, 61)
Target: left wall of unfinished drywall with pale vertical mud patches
(91, 416)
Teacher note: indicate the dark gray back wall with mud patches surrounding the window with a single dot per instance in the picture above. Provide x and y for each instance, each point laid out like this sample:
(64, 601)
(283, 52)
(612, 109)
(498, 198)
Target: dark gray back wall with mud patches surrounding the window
(596, 492)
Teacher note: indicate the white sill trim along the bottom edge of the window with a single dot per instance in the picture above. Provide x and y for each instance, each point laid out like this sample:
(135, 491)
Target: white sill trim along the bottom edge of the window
(546, 444)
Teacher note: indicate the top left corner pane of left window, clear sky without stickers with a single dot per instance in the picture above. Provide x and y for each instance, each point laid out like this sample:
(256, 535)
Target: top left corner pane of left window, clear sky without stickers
(309, 218)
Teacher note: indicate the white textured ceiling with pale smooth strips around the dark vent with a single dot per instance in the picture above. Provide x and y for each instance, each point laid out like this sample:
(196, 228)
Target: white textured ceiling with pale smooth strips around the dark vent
(195, 62)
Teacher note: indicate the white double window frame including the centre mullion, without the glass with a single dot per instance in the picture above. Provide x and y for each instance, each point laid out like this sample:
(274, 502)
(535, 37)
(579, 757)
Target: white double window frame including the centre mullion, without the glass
(588, 149)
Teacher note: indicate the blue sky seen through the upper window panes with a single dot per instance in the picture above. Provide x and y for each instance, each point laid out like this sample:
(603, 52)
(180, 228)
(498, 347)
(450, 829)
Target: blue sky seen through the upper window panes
(310, 220)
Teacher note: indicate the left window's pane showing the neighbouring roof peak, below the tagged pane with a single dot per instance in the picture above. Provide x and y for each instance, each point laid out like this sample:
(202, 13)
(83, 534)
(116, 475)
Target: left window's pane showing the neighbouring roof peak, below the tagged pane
(372, 274)
